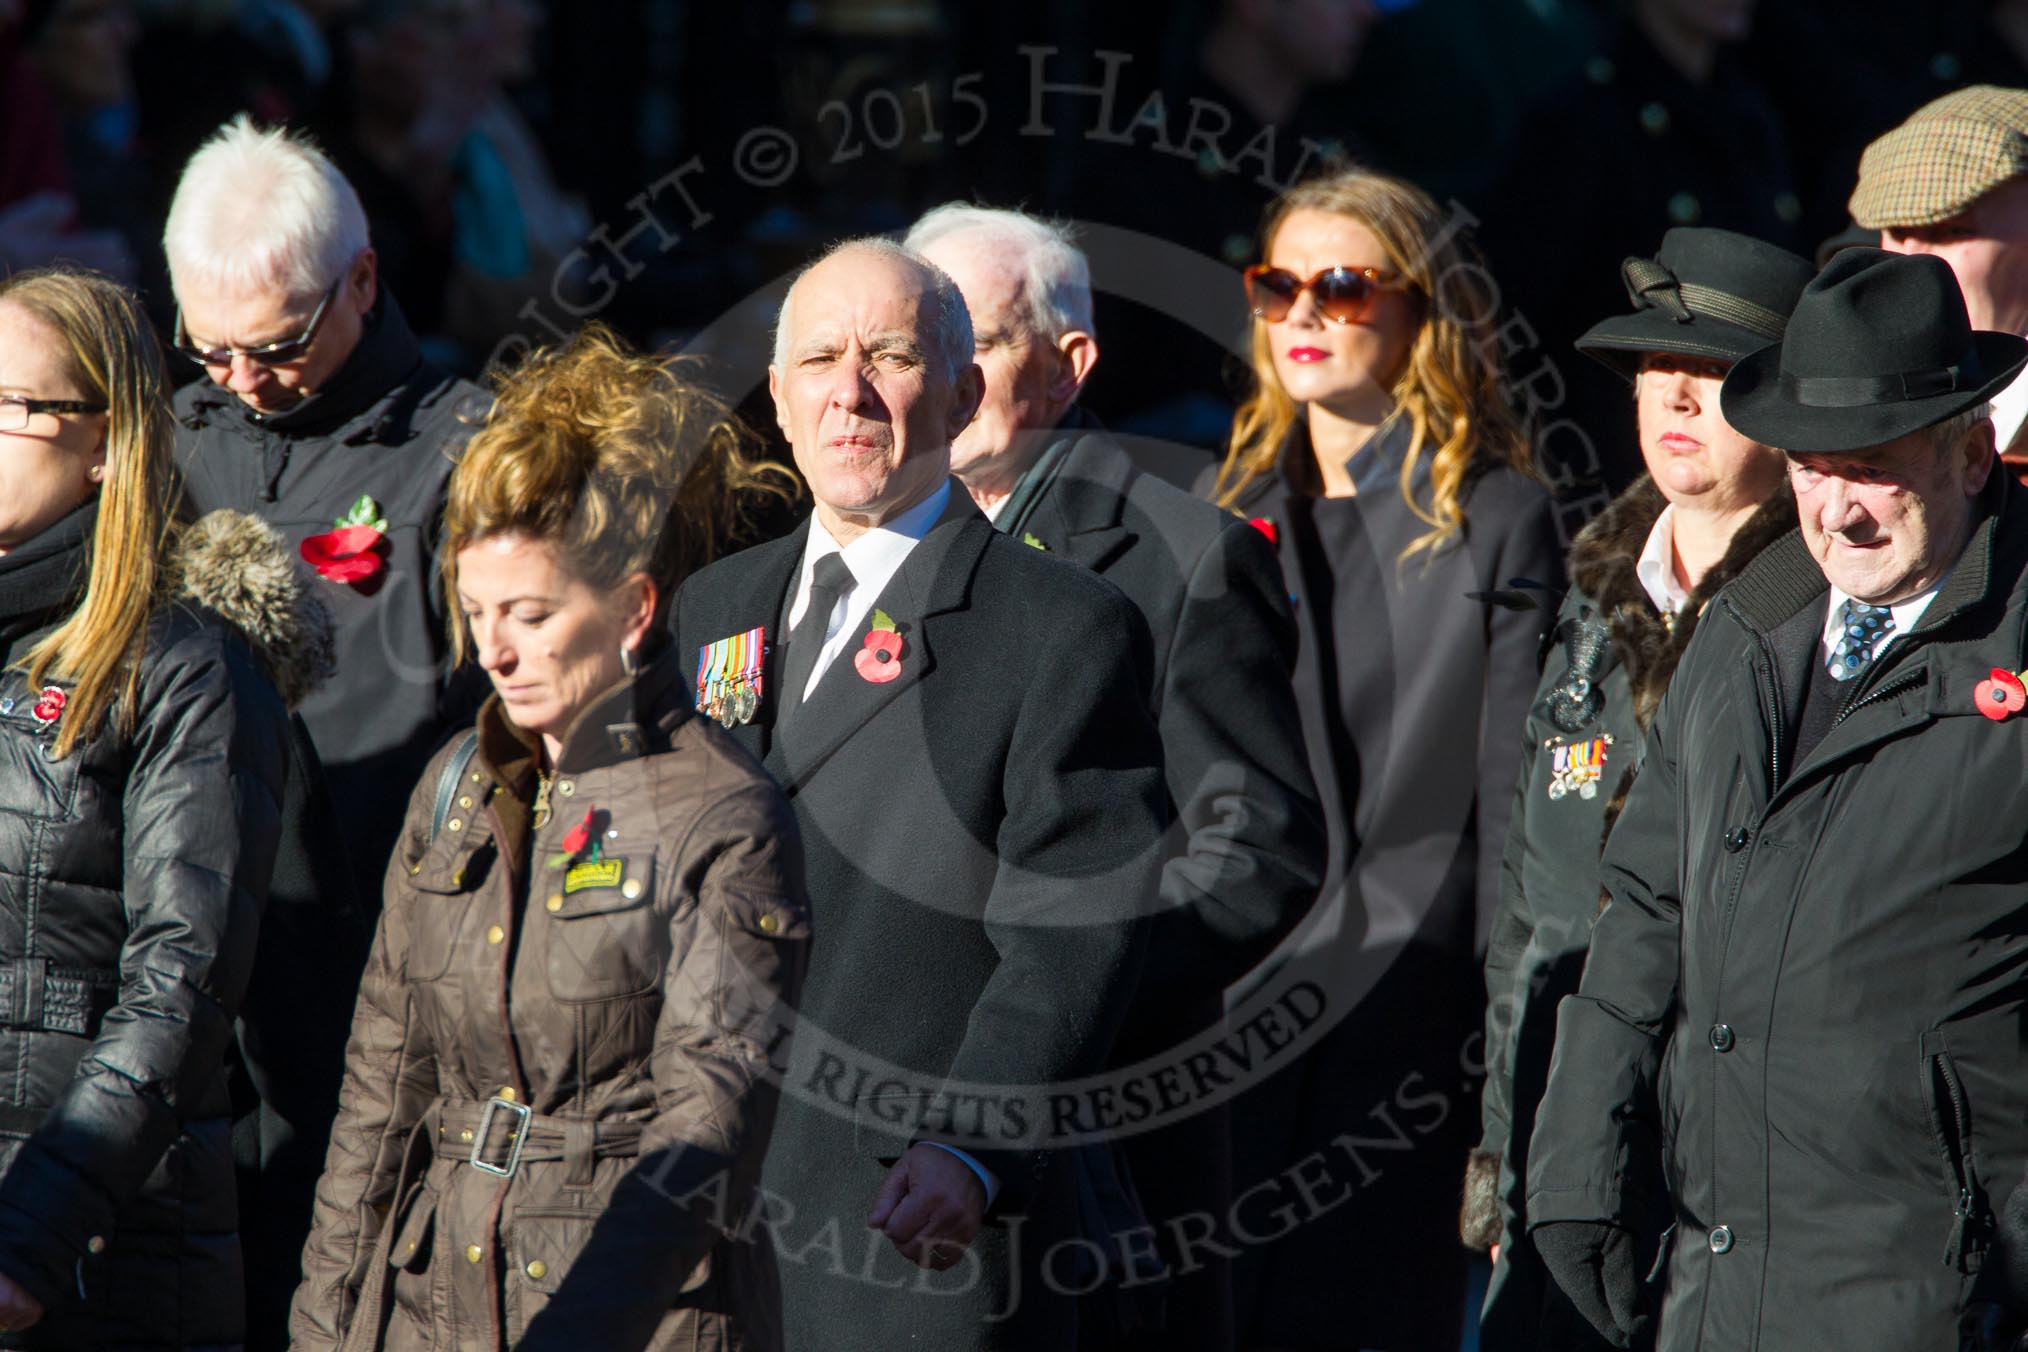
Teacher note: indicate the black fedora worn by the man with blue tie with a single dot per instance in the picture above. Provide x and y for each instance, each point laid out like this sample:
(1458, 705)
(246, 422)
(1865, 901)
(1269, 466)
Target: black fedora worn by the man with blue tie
(1879, 348)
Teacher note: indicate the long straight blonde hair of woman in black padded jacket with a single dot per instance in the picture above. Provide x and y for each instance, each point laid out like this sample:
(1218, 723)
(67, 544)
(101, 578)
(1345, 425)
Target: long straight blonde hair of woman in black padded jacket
(115, 360)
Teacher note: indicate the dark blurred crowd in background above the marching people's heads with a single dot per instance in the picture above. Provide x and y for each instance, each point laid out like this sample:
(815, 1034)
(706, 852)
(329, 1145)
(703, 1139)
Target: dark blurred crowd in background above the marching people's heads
(662, 165)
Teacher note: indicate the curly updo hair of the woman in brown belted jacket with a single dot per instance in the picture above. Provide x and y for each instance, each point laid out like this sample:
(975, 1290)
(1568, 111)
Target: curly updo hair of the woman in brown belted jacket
(622, 461)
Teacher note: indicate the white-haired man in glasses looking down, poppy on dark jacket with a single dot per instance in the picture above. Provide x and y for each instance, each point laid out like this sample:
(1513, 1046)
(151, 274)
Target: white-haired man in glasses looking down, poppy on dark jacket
(321, 417)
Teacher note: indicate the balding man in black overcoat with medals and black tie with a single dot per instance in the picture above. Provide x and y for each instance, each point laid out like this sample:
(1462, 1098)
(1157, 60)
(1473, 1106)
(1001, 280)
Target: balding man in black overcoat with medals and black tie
(960, 727)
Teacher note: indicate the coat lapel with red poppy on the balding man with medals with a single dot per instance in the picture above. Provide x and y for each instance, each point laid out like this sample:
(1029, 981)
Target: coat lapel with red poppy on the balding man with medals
(934, 581)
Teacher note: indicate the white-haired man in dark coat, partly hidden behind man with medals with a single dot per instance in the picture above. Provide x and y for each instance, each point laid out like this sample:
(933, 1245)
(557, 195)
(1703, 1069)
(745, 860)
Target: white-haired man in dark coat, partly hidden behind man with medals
(1248, 842)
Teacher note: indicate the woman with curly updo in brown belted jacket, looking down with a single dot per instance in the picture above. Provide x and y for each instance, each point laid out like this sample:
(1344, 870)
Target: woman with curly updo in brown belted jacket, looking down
(559, 1083)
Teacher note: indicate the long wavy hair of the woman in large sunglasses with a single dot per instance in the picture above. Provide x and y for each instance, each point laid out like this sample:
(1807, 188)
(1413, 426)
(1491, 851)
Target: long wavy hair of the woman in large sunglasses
(1451, 388)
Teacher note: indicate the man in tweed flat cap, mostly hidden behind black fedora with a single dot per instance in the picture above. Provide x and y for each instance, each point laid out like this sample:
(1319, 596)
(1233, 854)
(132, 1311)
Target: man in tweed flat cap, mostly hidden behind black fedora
(1954, 181)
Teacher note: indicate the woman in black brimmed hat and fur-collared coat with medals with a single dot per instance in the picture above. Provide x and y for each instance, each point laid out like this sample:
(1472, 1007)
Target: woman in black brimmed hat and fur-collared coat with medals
(1642, 575)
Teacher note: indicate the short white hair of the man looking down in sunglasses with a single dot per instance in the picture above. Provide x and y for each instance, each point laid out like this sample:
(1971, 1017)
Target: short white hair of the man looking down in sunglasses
(261, 210)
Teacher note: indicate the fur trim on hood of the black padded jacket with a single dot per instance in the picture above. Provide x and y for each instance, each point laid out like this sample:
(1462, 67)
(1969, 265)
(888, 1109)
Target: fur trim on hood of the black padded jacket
(242, 571)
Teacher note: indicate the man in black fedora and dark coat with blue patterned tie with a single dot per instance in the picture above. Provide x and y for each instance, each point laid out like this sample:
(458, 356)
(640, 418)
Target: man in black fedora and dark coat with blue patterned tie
(1804, 994)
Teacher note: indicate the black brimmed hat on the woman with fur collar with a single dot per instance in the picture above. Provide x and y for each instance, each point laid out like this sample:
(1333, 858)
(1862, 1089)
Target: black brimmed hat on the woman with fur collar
(1709, 293)
